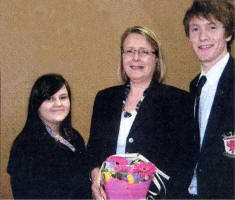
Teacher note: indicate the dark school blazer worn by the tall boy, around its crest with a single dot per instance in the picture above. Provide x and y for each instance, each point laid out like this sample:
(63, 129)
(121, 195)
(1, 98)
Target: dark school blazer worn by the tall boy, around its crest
(215, 171)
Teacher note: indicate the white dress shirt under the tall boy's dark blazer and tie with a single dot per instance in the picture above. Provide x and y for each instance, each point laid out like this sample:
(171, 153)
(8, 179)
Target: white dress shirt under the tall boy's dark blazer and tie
(206, 101)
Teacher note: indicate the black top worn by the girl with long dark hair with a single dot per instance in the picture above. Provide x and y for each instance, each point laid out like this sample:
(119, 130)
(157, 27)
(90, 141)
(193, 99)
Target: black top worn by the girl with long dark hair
(41, 168)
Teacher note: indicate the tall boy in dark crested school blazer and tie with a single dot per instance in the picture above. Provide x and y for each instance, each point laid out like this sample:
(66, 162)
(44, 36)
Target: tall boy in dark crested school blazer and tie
(209, 26)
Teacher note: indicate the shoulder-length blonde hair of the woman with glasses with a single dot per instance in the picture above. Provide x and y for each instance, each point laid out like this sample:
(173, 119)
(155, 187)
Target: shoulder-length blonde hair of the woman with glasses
(160, 69)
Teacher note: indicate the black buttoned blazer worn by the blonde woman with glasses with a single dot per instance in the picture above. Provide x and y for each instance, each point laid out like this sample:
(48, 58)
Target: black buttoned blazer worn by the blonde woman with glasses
(161, 131)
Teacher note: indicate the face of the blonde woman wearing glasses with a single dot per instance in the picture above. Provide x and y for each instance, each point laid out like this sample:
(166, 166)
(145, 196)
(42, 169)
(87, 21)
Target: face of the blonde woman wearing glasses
(139, 61)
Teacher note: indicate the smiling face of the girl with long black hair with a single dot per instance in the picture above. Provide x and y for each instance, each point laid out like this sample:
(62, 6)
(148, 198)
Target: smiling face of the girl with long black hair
(54, 110)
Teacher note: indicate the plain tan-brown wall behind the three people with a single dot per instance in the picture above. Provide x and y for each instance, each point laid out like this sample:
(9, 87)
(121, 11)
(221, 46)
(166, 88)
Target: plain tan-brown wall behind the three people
(79, 39)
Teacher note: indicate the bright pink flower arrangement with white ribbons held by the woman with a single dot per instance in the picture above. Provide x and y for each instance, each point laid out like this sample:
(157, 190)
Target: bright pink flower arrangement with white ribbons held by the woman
(128, 176)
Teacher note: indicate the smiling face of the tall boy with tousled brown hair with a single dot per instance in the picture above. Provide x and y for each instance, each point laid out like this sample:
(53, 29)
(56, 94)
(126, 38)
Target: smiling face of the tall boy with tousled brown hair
(208, 40)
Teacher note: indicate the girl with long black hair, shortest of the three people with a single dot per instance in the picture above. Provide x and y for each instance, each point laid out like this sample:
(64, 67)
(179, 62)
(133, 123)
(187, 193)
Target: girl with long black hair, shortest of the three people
(48, 157)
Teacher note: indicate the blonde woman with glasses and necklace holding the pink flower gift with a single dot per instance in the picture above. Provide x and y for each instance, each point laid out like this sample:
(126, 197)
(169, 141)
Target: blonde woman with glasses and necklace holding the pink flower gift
(143, 115)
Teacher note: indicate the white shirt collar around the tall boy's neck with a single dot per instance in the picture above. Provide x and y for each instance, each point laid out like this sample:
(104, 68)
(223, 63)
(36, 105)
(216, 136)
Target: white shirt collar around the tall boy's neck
(215, 72)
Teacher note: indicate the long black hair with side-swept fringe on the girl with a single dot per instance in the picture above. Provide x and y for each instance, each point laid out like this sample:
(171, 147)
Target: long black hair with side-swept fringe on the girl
(44, 87)
